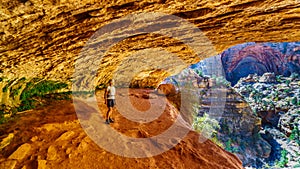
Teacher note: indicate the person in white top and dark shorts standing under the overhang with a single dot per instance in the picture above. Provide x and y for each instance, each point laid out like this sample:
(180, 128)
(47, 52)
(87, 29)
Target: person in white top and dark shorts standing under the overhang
(109, 97)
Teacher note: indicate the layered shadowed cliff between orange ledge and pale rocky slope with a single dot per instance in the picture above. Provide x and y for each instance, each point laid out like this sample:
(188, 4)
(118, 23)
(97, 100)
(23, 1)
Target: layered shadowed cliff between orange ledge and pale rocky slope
(237, 126)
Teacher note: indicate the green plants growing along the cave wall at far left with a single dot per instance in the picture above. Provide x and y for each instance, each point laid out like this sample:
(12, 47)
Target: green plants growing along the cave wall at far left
(24, 94)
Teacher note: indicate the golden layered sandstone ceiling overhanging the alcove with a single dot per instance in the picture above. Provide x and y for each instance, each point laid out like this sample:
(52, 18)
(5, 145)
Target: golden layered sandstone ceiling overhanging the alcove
(43, 38)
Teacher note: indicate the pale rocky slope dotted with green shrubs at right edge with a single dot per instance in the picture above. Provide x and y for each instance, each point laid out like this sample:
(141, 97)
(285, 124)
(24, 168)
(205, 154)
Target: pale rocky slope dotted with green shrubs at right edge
(276, 101)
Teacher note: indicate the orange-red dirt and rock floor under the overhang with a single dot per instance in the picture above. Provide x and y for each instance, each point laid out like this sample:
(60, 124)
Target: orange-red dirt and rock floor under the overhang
(52, 137)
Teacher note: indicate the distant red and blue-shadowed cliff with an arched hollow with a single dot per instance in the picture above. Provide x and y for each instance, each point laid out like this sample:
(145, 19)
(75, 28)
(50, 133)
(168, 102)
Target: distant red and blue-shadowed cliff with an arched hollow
(259, 58)
